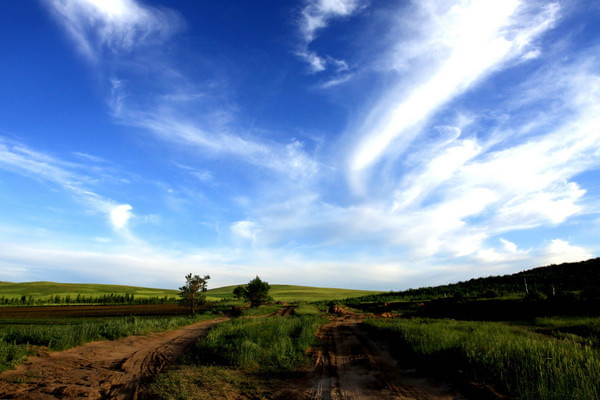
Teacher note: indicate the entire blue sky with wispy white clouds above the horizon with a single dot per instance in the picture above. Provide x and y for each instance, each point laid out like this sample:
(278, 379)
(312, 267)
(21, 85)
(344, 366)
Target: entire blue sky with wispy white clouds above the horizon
(361, 144)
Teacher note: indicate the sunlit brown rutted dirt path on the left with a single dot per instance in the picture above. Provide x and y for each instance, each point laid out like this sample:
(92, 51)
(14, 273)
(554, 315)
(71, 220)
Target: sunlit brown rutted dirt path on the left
(100, 370)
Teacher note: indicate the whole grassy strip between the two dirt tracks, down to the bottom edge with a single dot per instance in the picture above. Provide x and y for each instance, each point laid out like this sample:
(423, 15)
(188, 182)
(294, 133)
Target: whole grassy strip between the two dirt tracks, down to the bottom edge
(247, 357)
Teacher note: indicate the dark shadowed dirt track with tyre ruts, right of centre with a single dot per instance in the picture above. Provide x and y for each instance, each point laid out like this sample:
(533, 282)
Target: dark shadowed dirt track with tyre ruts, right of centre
(350, 366)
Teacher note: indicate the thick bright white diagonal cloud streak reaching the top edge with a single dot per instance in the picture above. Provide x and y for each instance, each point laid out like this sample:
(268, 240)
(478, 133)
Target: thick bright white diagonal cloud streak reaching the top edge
(466, 42)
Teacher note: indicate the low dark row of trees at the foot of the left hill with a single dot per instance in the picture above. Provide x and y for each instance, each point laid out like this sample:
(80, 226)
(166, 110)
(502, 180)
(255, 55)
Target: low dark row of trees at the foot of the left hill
(112, 298)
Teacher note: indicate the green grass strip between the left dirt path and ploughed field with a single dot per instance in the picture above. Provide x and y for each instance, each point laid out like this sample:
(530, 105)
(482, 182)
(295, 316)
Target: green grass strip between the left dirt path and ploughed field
(19, 341)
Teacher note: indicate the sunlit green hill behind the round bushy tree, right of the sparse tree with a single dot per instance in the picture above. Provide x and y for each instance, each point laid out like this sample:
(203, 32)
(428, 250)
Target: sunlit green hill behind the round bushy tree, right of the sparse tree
(290, 293)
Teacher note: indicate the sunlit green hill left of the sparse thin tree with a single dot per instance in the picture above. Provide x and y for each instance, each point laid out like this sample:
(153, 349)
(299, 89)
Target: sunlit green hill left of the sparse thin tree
(39, 290)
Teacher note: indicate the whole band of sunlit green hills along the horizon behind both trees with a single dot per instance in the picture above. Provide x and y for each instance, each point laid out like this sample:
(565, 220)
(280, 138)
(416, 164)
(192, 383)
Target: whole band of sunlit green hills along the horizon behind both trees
(43, 290)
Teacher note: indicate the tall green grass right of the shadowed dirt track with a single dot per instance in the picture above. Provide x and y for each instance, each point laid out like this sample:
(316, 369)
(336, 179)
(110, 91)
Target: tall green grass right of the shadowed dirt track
(515, 360)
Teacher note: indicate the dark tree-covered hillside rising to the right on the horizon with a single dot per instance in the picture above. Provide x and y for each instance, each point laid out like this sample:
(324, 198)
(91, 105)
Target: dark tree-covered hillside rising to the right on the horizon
(581, 280)
